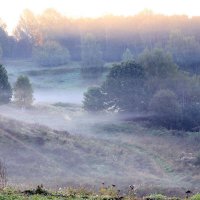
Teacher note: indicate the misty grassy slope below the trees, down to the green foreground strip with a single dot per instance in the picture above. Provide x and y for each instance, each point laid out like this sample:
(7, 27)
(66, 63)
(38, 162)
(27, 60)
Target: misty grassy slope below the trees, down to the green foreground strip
(117, 152)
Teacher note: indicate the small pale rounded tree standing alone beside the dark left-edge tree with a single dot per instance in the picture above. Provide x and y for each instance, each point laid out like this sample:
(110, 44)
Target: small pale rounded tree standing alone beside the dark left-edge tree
(23, 92)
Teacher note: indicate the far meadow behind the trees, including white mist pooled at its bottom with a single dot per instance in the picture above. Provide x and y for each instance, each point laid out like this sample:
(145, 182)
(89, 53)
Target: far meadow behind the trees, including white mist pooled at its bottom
(63, 83)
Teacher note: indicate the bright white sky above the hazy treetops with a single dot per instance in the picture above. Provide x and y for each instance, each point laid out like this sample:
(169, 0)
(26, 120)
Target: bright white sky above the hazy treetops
(10, 10)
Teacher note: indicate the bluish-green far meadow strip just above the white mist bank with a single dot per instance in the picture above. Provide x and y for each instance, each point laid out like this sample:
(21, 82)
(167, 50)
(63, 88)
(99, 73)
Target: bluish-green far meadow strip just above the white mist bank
(61, 77)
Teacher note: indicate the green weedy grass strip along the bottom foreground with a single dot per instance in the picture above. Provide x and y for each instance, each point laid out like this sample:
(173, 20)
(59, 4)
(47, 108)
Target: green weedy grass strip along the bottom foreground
(81, 193)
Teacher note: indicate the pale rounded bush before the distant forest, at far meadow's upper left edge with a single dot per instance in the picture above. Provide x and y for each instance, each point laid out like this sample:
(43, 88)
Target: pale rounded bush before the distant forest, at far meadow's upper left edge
(51, 53)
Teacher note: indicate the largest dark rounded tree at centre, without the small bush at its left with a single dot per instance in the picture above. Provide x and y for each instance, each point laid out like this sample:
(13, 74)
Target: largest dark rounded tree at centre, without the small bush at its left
(124, 87)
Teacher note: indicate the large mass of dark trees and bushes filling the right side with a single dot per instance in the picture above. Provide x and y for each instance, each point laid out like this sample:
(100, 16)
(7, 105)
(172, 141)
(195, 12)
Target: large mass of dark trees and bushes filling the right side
(155, 85)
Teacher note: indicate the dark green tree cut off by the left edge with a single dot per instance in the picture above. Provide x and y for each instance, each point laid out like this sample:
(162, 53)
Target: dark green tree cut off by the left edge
(5, 88)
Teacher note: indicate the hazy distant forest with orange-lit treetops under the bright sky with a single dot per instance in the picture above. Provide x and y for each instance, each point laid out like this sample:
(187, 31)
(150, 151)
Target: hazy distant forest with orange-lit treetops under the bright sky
(179, 35)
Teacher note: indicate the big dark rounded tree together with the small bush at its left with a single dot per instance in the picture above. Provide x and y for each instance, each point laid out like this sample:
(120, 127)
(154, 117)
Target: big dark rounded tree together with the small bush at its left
(122, 90)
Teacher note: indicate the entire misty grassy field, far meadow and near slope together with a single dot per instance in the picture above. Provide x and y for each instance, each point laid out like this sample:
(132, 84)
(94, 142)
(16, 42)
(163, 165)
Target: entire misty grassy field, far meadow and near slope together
(57, 144)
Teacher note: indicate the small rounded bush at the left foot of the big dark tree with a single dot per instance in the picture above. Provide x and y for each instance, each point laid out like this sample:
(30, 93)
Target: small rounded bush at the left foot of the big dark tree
(93, 99)
